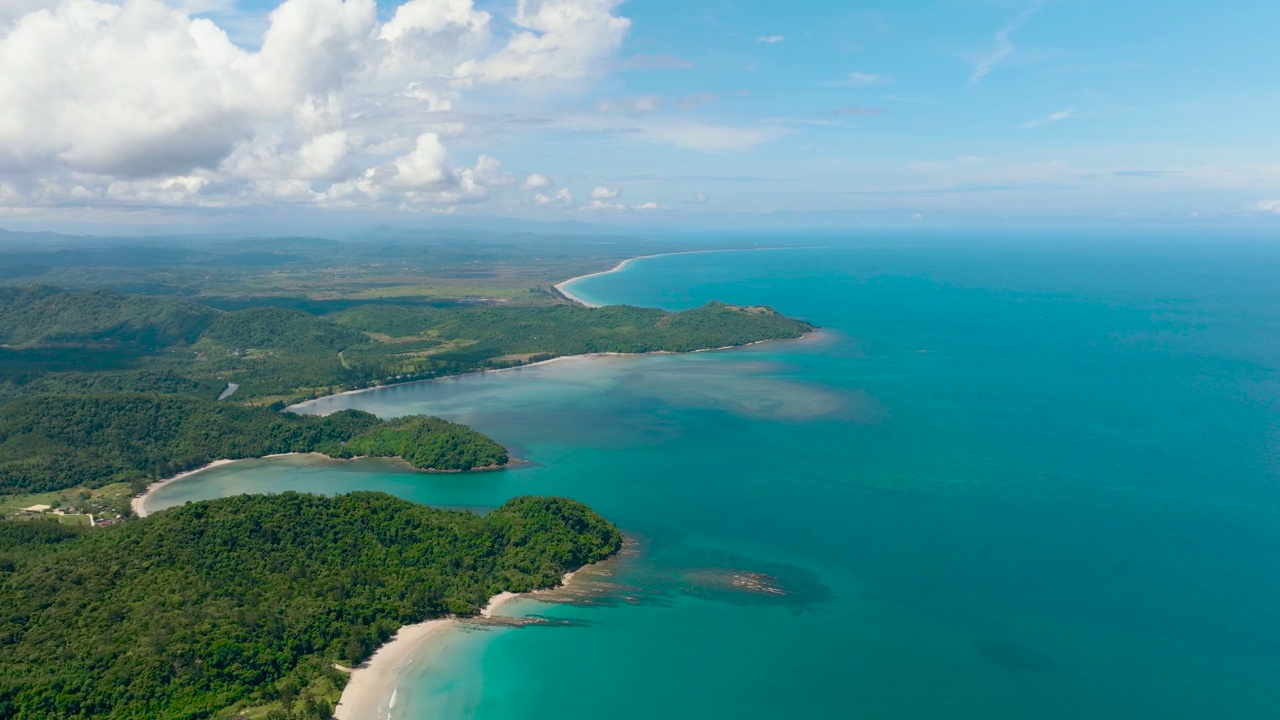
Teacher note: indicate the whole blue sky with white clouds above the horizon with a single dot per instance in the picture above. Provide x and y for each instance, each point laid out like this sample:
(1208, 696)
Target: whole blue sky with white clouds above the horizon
(641, 112)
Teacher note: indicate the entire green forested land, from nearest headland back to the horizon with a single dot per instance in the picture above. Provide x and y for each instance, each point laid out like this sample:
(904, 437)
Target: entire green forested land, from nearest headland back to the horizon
(186, 354)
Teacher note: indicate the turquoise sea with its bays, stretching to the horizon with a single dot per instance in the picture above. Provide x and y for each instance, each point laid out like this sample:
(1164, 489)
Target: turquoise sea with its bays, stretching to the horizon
(1012, 480)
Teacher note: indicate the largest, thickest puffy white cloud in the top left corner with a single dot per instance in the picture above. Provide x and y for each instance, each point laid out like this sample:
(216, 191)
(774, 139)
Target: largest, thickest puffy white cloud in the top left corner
(143, 89)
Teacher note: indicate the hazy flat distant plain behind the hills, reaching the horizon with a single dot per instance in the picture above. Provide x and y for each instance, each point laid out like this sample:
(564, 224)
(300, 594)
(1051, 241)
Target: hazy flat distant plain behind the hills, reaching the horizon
(412, 267)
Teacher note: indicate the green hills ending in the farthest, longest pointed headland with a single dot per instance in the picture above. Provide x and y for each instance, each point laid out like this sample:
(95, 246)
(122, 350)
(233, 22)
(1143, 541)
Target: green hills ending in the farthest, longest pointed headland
(278, 356)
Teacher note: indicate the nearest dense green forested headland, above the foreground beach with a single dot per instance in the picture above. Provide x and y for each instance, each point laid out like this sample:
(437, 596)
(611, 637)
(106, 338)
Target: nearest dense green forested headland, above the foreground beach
(203, 610)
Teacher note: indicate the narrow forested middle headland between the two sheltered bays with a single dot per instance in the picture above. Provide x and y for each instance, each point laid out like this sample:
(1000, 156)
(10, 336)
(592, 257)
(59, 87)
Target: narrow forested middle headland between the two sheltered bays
(54, 443)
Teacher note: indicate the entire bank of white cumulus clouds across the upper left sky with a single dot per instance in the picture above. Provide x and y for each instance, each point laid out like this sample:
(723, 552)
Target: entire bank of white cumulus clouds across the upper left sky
(138, 102)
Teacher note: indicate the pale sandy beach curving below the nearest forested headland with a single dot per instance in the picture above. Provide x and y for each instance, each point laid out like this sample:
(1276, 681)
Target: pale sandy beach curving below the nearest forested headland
(372, 690)
